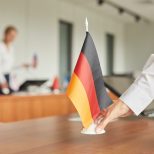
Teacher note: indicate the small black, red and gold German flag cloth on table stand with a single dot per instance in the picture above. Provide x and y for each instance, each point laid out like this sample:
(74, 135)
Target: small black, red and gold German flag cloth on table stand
(86, 89)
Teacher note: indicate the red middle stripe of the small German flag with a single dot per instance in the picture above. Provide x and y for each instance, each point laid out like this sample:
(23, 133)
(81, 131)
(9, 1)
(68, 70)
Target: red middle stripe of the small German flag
(84, 73)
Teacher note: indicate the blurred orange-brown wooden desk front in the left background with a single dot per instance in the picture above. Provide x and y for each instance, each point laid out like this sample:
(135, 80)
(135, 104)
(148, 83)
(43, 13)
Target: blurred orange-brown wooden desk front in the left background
(15, 108)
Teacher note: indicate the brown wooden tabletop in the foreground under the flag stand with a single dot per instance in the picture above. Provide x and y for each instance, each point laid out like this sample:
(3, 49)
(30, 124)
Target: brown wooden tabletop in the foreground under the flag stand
(57, 135)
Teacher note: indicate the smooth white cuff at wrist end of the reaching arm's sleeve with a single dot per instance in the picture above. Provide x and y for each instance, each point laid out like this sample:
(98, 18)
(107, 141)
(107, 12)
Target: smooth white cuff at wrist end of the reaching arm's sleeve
(136, 99)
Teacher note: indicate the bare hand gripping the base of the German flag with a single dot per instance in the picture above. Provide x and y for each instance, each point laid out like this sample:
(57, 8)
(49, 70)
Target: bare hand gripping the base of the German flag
(117, 109)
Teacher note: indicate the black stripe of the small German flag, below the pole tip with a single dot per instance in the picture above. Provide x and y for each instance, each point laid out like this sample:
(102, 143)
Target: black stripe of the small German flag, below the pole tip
(90, 52)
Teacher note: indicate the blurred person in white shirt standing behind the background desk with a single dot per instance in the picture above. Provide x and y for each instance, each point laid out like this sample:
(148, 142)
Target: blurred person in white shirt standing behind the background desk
(7, 58)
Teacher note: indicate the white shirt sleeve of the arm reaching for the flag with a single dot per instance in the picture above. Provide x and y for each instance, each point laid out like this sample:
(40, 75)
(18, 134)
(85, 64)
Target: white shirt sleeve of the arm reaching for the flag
(141, 93)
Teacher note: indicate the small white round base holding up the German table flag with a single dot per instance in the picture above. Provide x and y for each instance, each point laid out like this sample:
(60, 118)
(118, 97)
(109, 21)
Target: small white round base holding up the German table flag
(91, 130)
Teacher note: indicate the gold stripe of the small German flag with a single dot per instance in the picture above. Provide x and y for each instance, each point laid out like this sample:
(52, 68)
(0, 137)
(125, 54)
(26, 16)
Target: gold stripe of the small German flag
(78, 96)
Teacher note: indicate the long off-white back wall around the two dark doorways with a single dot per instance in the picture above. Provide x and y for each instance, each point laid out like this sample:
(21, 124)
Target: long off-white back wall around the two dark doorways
(37, 21)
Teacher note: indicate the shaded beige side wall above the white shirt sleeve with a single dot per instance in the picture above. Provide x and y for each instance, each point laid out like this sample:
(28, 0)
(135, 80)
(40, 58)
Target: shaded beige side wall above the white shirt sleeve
(139, 45)
